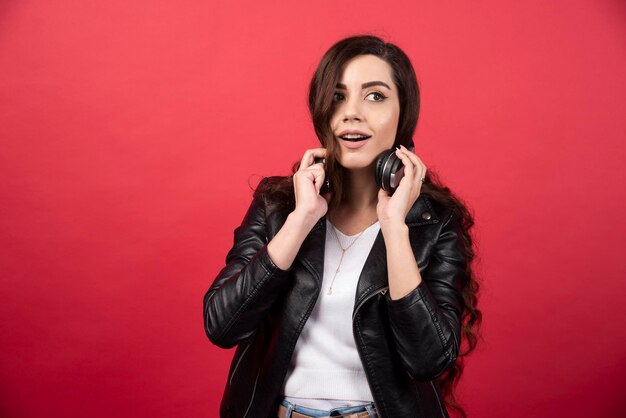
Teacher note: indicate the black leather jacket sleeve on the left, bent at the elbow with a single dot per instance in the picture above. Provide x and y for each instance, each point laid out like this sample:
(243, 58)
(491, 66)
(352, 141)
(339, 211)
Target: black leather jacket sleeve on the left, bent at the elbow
(247, 286)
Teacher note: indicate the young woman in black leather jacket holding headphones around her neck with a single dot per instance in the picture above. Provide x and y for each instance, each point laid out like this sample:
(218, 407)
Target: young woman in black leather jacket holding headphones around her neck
(353, 302)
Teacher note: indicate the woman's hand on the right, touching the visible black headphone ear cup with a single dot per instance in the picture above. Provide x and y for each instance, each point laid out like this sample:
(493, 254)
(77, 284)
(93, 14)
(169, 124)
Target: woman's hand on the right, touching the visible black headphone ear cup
(392, 210)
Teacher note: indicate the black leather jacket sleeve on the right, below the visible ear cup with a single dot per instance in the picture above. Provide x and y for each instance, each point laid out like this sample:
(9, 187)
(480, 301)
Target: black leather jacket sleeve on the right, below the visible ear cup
(426, 323)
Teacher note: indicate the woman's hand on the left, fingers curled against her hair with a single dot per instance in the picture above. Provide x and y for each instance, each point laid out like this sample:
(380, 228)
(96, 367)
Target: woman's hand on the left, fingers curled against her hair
(307, 182)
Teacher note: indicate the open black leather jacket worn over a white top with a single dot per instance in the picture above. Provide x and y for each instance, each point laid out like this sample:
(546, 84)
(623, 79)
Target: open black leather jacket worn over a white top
(404, 344)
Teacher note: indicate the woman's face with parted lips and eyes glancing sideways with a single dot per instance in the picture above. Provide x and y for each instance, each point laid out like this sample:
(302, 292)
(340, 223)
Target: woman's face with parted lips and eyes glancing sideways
(367, 110)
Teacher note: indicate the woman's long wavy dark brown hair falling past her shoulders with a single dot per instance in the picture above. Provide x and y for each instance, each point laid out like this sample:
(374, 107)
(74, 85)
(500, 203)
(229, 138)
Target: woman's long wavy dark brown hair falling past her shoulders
(321, 107)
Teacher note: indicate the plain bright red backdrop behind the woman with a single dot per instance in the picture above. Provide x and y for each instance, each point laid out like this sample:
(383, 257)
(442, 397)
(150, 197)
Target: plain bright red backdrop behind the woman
(130, 131)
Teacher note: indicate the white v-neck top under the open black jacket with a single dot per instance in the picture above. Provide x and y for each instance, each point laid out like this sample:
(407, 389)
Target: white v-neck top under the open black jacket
(326, 371)
